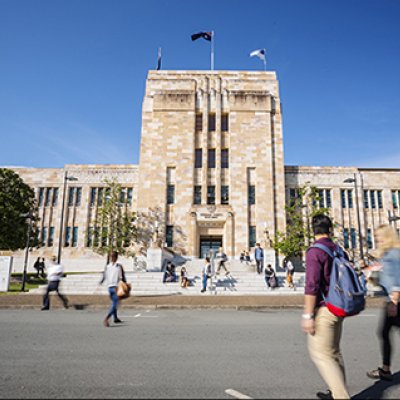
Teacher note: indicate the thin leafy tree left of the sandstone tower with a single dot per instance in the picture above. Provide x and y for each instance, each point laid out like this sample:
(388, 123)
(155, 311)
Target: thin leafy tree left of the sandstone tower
(115, 225)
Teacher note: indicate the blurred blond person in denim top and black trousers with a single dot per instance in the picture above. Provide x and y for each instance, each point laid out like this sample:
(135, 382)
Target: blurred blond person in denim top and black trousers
(388, 248)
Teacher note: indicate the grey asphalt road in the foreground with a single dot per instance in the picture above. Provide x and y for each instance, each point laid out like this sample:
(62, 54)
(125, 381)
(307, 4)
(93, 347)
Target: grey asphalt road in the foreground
(176, 354)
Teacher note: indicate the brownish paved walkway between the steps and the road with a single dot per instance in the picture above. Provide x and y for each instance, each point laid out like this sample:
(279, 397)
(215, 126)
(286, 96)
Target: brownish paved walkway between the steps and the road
(29, 301)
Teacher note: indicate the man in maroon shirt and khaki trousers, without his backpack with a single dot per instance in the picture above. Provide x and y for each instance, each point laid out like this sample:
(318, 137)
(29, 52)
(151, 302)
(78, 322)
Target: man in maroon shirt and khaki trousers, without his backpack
(323, 328)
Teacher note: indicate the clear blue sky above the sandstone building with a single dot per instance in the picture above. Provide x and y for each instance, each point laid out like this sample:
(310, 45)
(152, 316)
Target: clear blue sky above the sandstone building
(72, 73)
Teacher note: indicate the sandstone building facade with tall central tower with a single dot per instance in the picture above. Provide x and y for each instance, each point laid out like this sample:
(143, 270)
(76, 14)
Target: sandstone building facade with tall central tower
(212, 172)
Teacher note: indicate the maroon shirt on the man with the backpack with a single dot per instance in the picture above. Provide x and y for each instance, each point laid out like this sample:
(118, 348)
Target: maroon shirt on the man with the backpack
(318, 270)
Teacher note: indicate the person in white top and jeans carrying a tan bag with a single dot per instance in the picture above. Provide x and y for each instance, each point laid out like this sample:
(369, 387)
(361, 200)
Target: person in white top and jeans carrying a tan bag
(113, 273)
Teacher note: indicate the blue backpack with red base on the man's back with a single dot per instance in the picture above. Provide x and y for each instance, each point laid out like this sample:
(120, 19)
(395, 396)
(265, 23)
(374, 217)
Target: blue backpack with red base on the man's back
(347, 291)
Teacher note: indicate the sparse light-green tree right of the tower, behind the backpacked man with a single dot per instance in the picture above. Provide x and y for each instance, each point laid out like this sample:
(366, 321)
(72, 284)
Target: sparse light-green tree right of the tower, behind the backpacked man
(299, 213)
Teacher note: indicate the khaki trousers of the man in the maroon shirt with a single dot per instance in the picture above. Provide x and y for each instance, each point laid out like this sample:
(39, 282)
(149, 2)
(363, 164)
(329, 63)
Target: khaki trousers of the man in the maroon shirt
(324, 349)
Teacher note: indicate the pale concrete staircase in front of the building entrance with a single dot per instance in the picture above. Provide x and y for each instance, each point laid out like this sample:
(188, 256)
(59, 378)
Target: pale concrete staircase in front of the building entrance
(240, 282)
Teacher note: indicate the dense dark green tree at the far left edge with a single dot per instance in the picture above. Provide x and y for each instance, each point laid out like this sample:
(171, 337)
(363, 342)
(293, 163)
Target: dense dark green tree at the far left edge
(16, 199)
